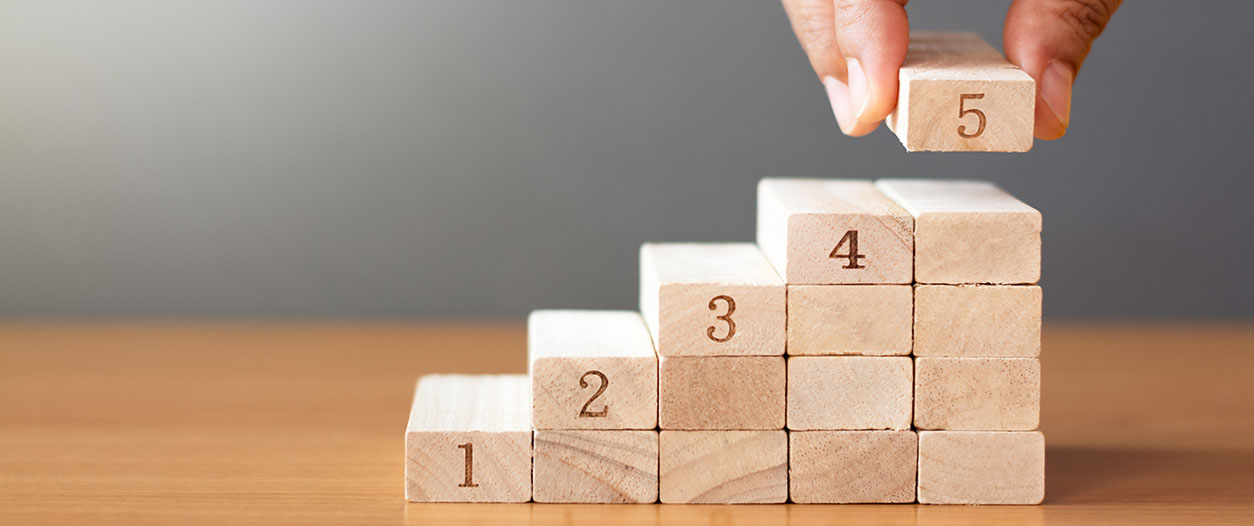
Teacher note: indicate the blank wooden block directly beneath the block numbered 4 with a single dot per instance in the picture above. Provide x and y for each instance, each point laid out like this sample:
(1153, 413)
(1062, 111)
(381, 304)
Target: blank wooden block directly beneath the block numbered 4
(850, 319)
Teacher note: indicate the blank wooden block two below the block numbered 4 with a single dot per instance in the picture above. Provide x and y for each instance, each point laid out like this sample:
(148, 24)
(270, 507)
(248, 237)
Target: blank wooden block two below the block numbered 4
(850, 392)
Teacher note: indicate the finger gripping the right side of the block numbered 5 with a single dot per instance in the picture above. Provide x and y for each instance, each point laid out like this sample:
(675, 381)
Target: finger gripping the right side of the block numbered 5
(1049, 40)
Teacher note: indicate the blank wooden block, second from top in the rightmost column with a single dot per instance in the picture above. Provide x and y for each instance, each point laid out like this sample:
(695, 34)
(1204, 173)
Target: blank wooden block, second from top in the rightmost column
(977, 321)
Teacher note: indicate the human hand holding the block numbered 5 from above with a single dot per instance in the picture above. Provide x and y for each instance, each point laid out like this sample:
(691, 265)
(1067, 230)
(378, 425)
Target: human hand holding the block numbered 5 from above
(857, 48)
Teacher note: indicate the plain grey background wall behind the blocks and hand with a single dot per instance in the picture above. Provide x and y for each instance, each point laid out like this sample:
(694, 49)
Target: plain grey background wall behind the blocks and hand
(482, 159)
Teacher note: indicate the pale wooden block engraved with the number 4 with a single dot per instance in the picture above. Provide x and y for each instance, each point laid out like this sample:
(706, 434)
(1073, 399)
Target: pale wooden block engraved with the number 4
(835, 232)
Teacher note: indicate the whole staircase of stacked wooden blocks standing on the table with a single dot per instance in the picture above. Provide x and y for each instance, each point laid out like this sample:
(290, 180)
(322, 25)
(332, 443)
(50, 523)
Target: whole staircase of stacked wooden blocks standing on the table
(878, 345)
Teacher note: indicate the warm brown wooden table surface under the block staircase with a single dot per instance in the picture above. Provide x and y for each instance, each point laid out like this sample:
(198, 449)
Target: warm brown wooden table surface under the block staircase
(302, 424)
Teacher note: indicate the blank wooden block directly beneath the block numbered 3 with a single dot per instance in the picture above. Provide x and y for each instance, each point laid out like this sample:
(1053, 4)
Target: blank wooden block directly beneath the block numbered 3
(722, 394)
